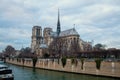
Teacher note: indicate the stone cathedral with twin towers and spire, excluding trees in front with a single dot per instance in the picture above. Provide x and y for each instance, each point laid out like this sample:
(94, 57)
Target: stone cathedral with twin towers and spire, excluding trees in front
(40, 43)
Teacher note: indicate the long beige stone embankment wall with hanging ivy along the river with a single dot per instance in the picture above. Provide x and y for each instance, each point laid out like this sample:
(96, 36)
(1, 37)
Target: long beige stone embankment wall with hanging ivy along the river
(111, 69)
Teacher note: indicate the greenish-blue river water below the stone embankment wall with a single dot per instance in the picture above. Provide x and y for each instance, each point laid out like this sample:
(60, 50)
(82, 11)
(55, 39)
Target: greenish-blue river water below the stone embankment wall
(24, 73)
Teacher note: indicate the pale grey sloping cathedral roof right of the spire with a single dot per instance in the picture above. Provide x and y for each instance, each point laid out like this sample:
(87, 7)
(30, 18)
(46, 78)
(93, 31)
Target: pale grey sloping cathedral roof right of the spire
(69, 32)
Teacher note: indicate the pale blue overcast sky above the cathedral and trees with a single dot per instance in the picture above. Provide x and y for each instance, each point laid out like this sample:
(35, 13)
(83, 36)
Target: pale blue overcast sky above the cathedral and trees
(97, 20)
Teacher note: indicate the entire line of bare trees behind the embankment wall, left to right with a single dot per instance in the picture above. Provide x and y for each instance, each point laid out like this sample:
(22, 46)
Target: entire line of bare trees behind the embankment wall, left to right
(60, 48)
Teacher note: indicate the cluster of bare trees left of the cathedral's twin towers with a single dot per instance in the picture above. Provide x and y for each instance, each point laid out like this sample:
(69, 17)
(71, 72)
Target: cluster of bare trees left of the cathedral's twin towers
(10, 51)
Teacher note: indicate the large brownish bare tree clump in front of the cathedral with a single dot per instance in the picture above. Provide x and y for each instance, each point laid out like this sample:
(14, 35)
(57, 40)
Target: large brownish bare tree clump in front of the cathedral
(61, 47)
